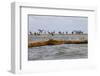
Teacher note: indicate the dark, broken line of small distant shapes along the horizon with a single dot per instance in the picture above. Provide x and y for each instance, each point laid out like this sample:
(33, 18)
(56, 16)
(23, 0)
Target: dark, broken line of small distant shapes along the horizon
(53, 32)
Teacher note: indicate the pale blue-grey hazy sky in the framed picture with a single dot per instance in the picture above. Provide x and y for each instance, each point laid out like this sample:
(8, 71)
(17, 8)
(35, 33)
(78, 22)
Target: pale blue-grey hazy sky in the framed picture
(58, 23)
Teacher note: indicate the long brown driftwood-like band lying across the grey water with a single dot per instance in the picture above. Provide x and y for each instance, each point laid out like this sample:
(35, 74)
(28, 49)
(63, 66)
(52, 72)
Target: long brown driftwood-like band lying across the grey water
(56, 42)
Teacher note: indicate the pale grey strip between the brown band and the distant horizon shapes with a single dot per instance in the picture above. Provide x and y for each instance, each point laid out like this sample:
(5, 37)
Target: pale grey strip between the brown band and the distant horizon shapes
(65, 37)
